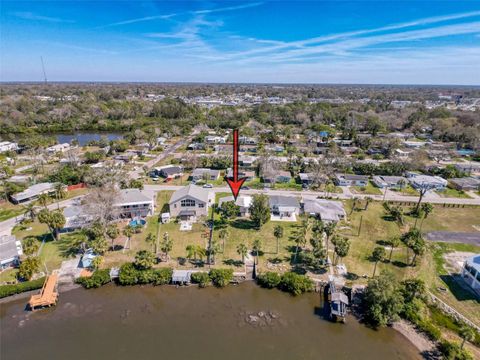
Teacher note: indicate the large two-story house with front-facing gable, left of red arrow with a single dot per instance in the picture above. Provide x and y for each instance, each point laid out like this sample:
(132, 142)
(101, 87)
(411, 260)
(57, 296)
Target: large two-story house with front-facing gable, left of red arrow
(191, 202)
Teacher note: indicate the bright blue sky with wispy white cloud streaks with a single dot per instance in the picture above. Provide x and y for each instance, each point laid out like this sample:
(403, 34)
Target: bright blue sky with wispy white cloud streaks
(374, 42)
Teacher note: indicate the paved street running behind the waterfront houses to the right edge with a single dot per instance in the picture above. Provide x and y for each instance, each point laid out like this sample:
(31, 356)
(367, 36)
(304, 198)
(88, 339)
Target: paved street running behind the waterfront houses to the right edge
(390, 196)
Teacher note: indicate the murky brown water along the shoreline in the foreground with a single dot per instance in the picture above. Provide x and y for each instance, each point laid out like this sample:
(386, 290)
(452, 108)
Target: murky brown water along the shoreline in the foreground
(239, 322)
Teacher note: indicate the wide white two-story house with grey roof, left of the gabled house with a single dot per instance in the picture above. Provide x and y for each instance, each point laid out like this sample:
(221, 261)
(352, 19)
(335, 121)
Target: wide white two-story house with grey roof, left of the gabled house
(135, 203)
